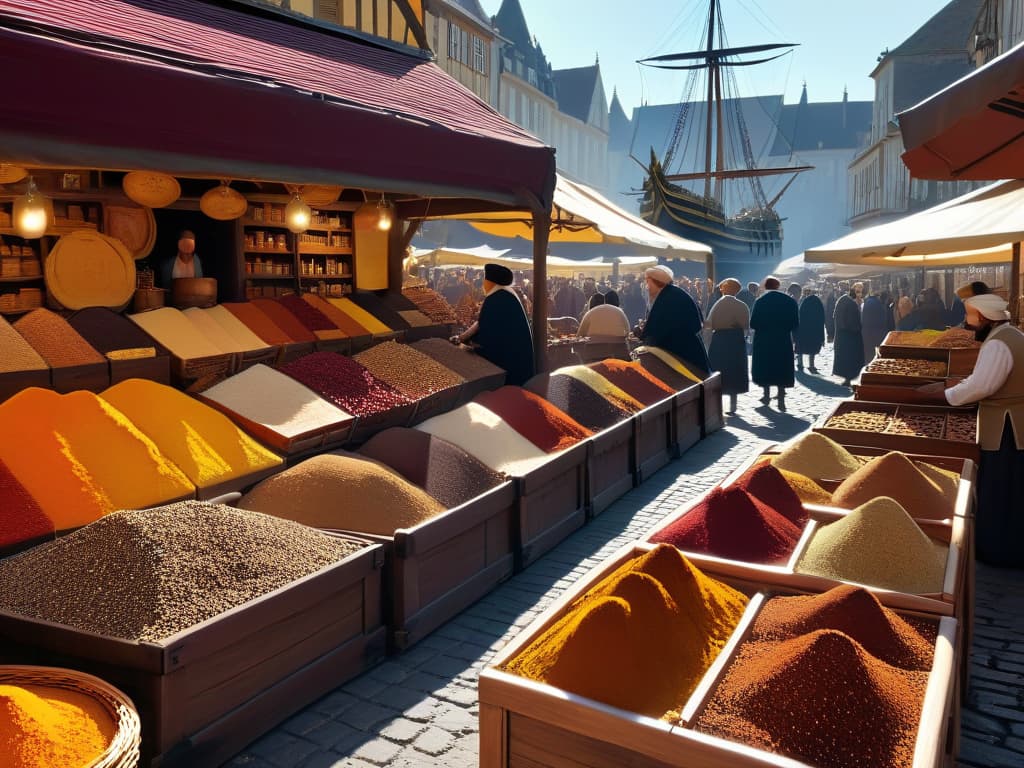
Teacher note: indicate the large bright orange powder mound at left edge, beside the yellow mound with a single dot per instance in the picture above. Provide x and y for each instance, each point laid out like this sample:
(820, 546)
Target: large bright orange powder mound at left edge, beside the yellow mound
(80, 458)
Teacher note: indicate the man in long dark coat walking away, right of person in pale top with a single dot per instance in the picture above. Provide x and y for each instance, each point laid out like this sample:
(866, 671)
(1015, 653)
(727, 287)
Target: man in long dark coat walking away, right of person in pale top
(775, 319)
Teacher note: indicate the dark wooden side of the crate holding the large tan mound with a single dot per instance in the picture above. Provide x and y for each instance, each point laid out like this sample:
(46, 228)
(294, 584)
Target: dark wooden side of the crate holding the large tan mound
(435, 571)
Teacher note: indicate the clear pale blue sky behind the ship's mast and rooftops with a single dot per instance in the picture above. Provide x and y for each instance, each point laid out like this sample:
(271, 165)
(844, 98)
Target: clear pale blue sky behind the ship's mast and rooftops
(840, 41)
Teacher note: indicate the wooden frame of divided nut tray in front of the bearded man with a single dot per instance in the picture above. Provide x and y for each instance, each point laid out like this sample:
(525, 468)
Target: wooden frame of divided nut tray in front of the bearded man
(890, 442)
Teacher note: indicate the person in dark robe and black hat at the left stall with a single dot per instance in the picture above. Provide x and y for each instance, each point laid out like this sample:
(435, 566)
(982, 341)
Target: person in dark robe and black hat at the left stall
(502, 334)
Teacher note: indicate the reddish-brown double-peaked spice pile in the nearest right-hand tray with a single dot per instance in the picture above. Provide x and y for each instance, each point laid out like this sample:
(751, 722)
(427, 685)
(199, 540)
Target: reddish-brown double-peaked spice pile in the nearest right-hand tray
(808, 684)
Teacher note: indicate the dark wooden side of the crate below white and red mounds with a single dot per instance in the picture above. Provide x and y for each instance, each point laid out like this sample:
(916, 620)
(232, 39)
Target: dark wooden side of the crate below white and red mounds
(552, 503)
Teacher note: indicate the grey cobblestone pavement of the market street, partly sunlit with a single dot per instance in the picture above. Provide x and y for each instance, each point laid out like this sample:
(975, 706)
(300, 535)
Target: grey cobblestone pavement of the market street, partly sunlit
(420, 708)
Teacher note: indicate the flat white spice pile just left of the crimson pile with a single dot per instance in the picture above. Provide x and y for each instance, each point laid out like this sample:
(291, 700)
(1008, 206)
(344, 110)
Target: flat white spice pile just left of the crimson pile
(277, 402)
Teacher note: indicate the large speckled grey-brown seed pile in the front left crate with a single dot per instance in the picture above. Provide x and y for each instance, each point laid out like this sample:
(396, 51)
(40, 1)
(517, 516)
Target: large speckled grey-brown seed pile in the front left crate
(150, 575)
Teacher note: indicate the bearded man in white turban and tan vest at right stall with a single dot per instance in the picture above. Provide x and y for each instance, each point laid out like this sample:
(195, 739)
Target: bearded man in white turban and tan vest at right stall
(998, 387)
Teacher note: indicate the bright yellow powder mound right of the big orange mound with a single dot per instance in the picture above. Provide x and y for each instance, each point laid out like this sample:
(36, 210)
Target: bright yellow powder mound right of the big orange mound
(201, 441)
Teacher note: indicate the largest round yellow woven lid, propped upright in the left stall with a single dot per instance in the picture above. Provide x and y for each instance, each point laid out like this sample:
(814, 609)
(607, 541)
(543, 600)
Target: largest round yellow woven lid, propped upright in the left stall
(88, 269)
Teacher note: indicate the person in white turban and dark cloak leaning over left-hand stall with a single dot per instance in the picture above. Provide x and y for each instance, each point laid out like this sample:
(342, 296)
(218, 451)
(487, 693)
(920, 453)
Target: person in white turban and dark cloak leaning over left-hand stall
(674, 321)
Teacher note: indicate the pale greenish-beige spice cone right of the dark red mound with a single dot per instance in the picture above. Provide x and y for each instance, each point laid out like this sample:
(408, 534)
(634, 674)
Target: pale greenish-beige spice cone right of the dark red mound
(878, 544)
